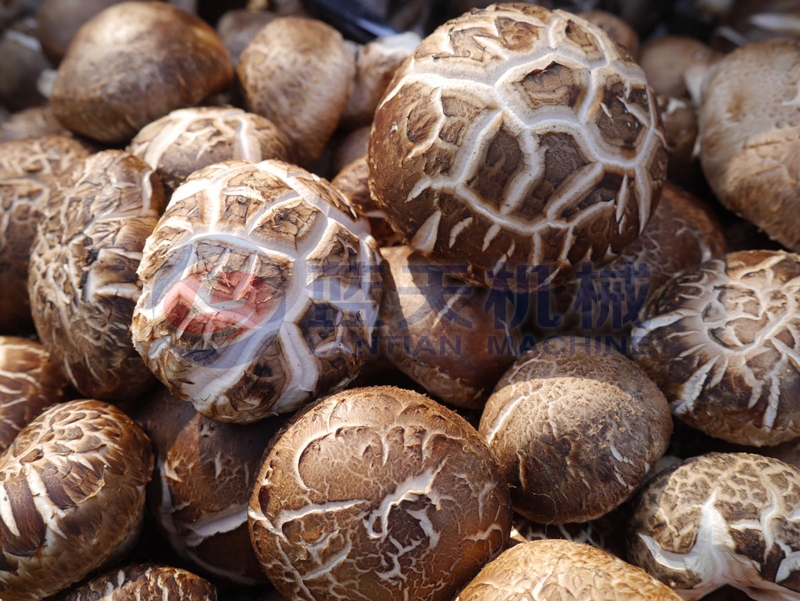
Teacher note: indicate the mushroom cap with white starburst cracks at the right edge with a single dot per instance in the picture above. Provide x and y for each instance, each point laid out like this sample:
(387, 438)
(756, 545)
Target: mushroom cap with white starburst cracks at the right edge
(719, 341)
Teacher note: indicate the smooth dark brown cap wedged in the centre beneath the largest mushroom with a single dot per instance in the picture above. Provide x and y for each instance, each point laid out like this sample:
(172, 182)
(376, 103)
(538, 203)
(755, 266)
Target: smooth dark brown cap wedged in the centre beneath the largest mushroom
(439, 332)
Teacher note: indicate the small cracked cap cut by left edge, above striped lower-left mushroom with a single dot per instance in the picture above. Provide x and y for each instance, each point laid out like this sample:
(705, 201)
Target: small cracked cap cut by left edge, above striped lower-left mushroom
(29, 383)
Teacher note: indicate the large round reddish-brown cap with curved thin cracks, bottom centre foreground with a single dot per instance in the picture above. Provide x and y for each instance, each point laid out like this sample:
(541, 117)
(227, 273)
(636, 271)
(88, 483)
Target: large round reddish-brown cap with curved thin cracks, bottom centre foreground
(377, 493)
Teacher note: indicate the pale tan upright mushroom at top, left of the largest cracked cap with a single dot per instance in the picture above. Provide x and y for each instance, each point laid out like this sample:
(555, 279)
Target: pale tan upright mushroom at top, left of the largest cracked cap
(298, 73)
